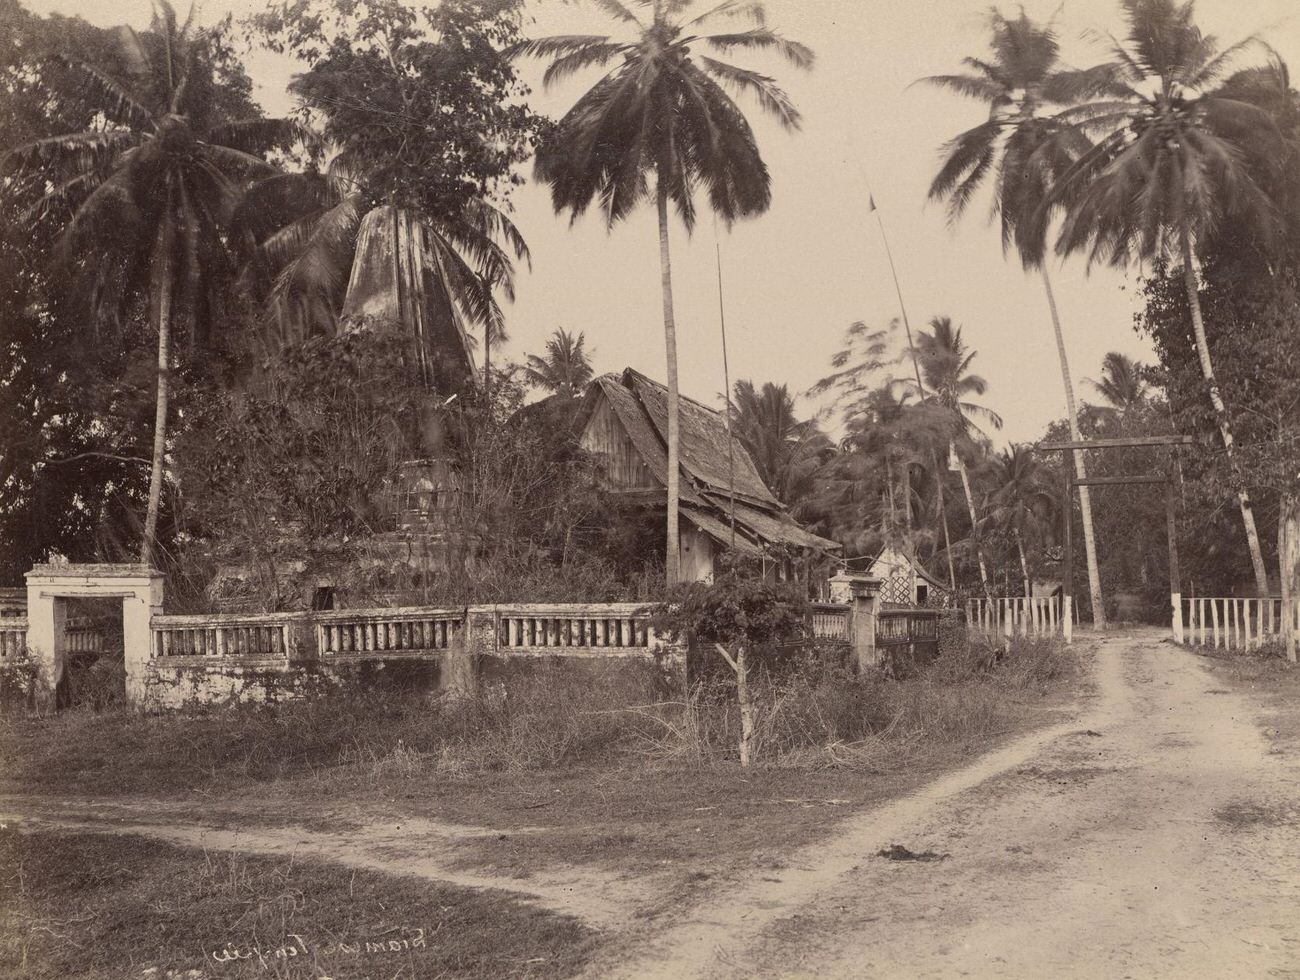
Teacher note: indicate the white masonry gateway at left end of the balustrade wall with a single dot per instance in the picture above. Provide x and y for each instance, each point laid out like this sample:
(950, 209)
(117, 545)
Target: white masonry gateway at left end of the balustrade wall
(50, 587)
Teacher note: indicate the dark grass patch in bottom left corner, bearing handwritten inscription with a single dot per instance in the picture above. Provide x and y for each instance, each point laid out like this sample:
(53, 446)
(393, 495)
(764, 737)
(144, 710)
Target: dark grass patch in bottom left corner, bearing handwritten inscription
(89, 907)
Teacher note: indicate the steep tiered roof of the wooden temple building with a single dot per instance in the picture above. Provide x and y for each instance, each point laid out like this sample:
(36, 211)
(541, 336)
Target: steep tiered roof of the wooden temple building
(642, 407)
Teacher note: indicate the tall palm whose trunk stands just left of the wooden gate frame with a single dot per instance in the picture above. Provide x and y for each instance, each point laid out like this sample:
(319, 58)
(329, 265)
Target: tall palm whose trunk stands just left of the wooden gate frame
(1022, 150)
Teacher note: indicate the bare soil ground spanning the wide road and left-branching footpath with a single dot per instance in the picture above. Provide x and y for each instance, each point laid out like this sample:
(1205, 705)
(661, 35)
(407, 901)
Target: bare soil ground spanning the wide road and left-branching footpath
(1154, 831)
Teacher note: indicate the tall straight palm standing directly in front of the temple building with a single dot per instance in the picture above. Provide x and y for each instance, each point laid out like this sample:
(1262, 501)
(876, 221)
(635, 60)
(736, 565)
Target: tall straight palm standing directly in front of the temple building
(665, 109)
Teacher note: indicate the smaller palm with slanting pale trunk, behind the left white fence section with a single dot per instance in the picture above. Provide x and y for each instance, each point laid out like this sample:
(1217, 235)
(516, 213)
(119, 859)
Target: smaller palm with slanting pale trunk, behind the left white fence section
(944, 365)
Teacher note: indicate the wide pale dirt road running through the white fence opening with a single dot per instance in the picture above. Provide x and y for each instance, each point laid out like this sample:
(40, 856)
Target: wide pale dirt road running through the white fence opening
(1154, 838)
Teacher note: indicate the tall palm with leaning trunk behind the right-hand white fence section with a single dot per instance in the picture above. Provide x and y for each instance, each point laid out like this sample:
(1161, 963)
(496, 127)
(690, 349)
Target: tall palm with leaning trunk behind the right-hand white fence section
(1167, 170)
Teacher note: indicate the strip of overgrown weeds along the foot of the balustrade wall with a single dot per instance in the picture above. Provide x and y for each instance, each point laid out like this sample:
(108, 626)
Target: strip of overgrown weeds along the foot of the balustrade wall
(816, 717)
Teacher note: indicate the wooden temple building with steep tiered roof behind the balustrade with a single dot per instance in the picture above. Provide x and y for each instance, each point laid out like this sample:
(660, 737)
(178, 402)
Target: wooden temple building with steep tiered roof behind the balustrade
(625, 428)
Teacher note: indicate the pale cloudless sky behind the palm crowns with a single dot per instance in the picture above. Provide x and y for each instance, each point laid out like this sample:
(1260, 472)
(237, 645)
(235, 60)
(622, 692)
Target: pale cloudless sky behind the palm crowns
(800, 275)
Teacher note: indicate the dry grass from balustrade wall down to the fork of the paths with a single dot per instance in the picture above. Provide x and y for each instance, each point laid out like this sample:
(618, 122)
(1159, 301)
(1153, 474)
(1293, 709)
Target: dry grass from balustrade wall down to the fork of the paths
(601, 767)
